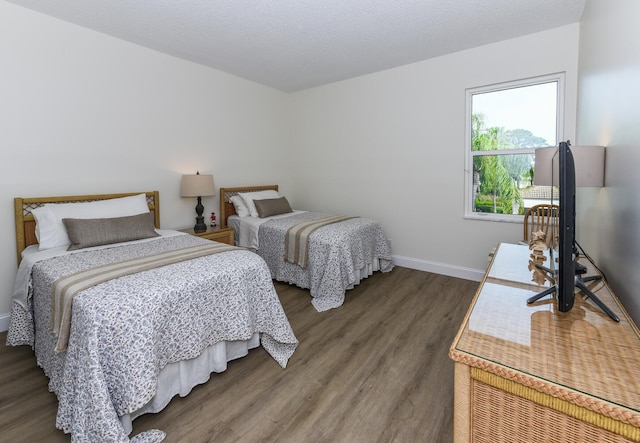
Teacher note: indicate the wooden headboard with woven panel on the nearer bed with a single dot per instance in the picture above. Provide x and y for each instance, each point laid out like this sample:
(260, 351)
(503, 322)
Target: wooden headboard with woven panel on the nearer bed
(26, 224)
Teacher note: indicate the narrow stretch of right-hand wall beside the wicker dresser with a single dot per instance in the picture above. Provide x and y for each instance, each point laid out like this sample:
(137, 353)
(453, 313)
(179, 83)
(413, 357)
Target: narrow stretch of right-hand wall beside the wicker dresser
(609, 94)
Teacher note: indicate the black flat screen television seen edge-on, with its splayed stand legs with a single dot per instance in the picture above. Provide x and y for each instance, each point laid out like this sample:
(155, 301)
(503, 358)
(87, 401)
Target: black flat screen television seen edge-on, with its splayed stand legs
(567, 273)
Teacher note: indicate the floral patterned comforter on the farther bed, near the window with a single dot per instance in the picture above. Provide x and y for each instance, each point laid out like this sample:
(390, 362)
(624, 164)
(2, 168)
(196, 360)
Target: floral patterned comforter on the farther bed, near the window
(338, 255)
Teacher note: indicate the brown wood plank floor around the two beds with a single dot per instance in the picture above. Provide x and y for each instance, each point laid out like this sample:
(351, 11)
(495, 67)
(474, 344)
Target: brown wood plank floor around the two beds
(374, 370)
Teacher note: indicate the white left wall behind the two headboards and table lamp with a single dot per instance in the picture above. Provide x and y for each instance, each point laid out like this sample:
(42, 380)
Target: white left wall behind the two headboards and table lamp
(85, 113)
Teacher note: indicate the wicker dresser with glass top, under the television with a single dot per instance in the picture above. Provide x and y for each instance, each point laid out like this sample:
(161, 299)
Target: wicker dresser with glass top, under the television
(529, 373)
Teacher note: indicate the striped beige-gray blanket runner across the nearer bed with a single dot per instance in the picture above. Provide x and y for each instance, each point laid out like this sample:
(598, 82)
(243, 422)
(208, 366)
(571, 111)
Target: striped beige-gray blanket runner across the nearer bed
(66, 288)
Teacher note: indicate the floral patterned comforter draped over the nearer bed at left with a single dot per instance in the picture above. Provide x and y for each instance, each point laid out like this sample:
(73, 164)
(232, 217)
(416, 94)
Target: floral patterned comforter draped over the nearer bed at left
(124, 331)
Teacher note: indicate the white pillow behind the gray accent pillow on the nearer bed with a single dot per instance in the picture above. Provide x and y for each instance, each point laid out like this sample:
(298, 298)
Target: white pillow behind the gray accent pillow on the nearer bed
(50, 230)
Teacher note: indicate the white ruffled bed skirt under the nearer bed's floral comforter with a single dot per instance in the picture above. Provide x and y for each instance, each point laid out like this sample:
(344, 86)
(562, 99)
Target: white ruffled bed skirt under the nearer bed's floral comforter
(180, 377)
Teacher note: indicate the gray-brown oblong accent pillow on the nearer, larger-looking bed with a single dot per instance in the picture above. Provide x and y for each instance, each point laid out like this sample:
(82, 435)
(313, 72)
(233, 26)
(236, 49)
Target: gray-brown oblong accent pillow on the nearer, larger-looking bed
(86, 232)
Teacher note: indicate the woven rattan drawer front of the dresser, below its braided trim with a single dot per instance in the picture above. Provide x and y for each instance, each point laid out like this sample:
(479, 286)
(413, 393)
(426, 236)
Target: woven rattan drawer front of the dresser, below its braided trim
(498, 416)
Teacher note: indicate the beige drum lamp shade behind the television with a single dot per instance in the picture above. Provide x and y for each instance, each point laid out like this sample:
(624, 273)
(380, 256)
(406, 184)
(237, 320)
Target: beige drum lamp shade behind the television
(588, 160)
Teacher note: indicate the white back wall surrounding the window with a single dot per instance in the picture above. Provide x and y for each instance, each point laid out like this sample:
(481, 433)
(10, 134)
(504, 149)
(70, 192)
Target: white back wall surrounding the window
(390, 145)
